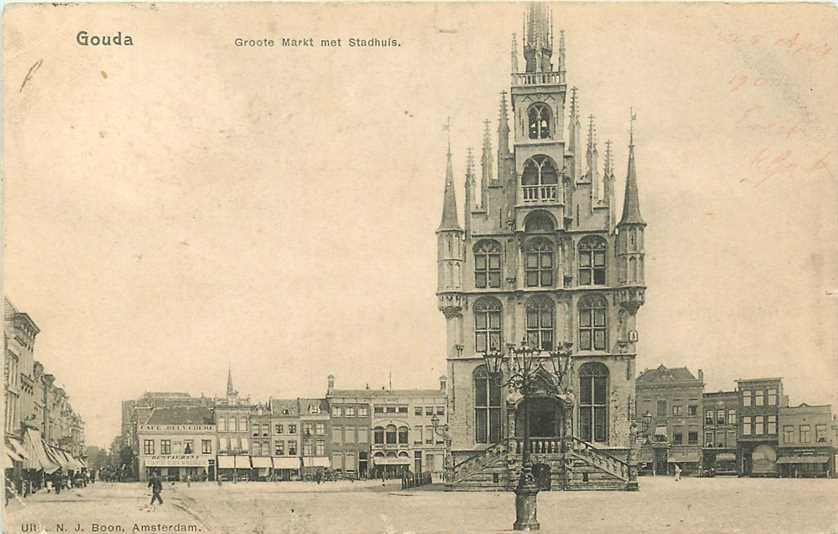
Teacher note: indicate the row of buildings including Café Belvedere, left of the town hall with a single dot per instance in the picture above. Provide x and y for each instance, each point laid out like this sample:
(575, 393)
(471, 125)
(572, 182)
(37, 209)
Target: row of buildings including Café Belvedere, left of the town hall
(360, 432)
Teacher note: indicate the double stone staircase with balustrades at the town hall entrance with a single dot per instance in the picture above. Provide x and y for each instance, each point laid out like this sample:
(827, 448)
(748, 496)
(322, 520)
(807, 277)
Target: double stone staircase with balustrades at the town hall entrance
(583, 466)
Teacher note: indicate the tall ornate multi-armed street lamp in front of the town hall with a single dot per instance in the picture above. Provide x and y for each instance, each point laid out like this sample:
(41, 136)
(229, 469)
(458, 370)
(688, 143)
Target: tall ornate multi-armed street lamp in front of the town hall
(524, 366)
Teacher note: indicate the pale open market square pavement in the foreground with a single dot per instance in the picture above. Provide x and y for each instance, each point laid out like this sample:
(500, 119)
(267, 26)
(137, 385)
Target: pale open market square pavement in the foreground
(704, 506)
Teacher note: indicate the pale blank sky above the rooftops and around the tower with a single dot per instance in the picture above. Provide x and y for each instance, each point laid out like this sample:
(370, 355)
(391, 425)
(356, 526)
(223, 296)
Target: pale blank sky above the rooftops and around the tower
(184, 205)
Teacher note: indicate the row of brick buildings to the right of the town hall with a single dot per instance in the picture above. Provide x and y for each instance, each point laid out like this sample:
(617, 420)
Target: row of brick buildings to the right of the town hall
(751, 430)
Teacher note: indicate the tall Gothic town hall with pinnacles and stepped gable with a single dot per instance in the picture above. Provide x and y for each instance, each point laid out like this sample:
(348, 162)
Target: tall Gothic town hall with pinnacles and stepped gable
(542, 256)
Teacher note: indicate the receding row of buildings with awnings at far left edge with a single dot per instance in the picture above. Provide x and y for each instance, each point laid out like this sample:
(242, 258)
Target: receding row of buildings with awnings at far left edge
(43, 434)
